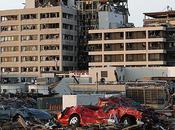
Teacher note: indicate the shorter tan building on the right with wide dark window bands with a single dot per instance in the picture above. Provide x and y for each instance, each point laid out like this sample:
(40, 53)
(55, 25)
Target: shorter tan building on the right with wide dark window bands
(151, 45)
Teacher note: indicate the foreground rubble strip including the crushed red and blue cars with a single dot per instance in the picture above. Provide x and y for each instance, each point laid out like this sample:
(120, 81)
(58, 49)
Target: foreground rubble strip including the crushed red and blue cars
(114, 113)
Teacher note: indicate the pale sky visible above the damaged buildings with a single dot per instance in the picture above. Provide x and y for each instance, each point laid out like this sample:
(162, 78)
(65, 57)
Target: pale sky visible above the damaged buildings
(136, 7)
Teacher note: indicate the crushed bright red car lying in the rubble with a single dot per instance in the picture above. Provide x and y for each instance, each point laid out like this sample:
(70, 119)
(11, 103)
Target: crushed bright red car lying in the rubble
(108, 110)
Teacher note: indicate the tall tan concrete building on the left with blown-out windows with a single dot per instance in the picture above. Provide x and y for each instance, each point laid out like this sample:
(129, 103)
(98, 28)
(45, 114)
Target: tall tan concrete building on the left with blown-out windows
(40, 38)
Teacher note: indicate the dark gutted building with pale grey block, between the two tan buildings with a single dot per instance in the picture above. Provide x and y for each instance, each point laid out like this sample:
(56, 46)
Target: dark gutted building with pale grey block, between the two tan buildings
(98, 14)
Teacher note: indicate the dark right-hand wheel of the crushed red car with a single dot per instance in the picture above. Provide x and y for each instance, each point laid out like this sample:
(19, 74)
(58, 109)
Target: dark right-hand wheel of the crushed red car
(128, 121)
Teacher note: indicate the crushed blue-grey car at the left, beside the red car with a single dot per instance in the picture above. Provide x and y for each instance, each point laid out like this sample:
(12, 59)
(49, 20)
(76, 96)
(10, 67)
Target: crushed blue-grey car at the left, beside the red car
(12, 111)
